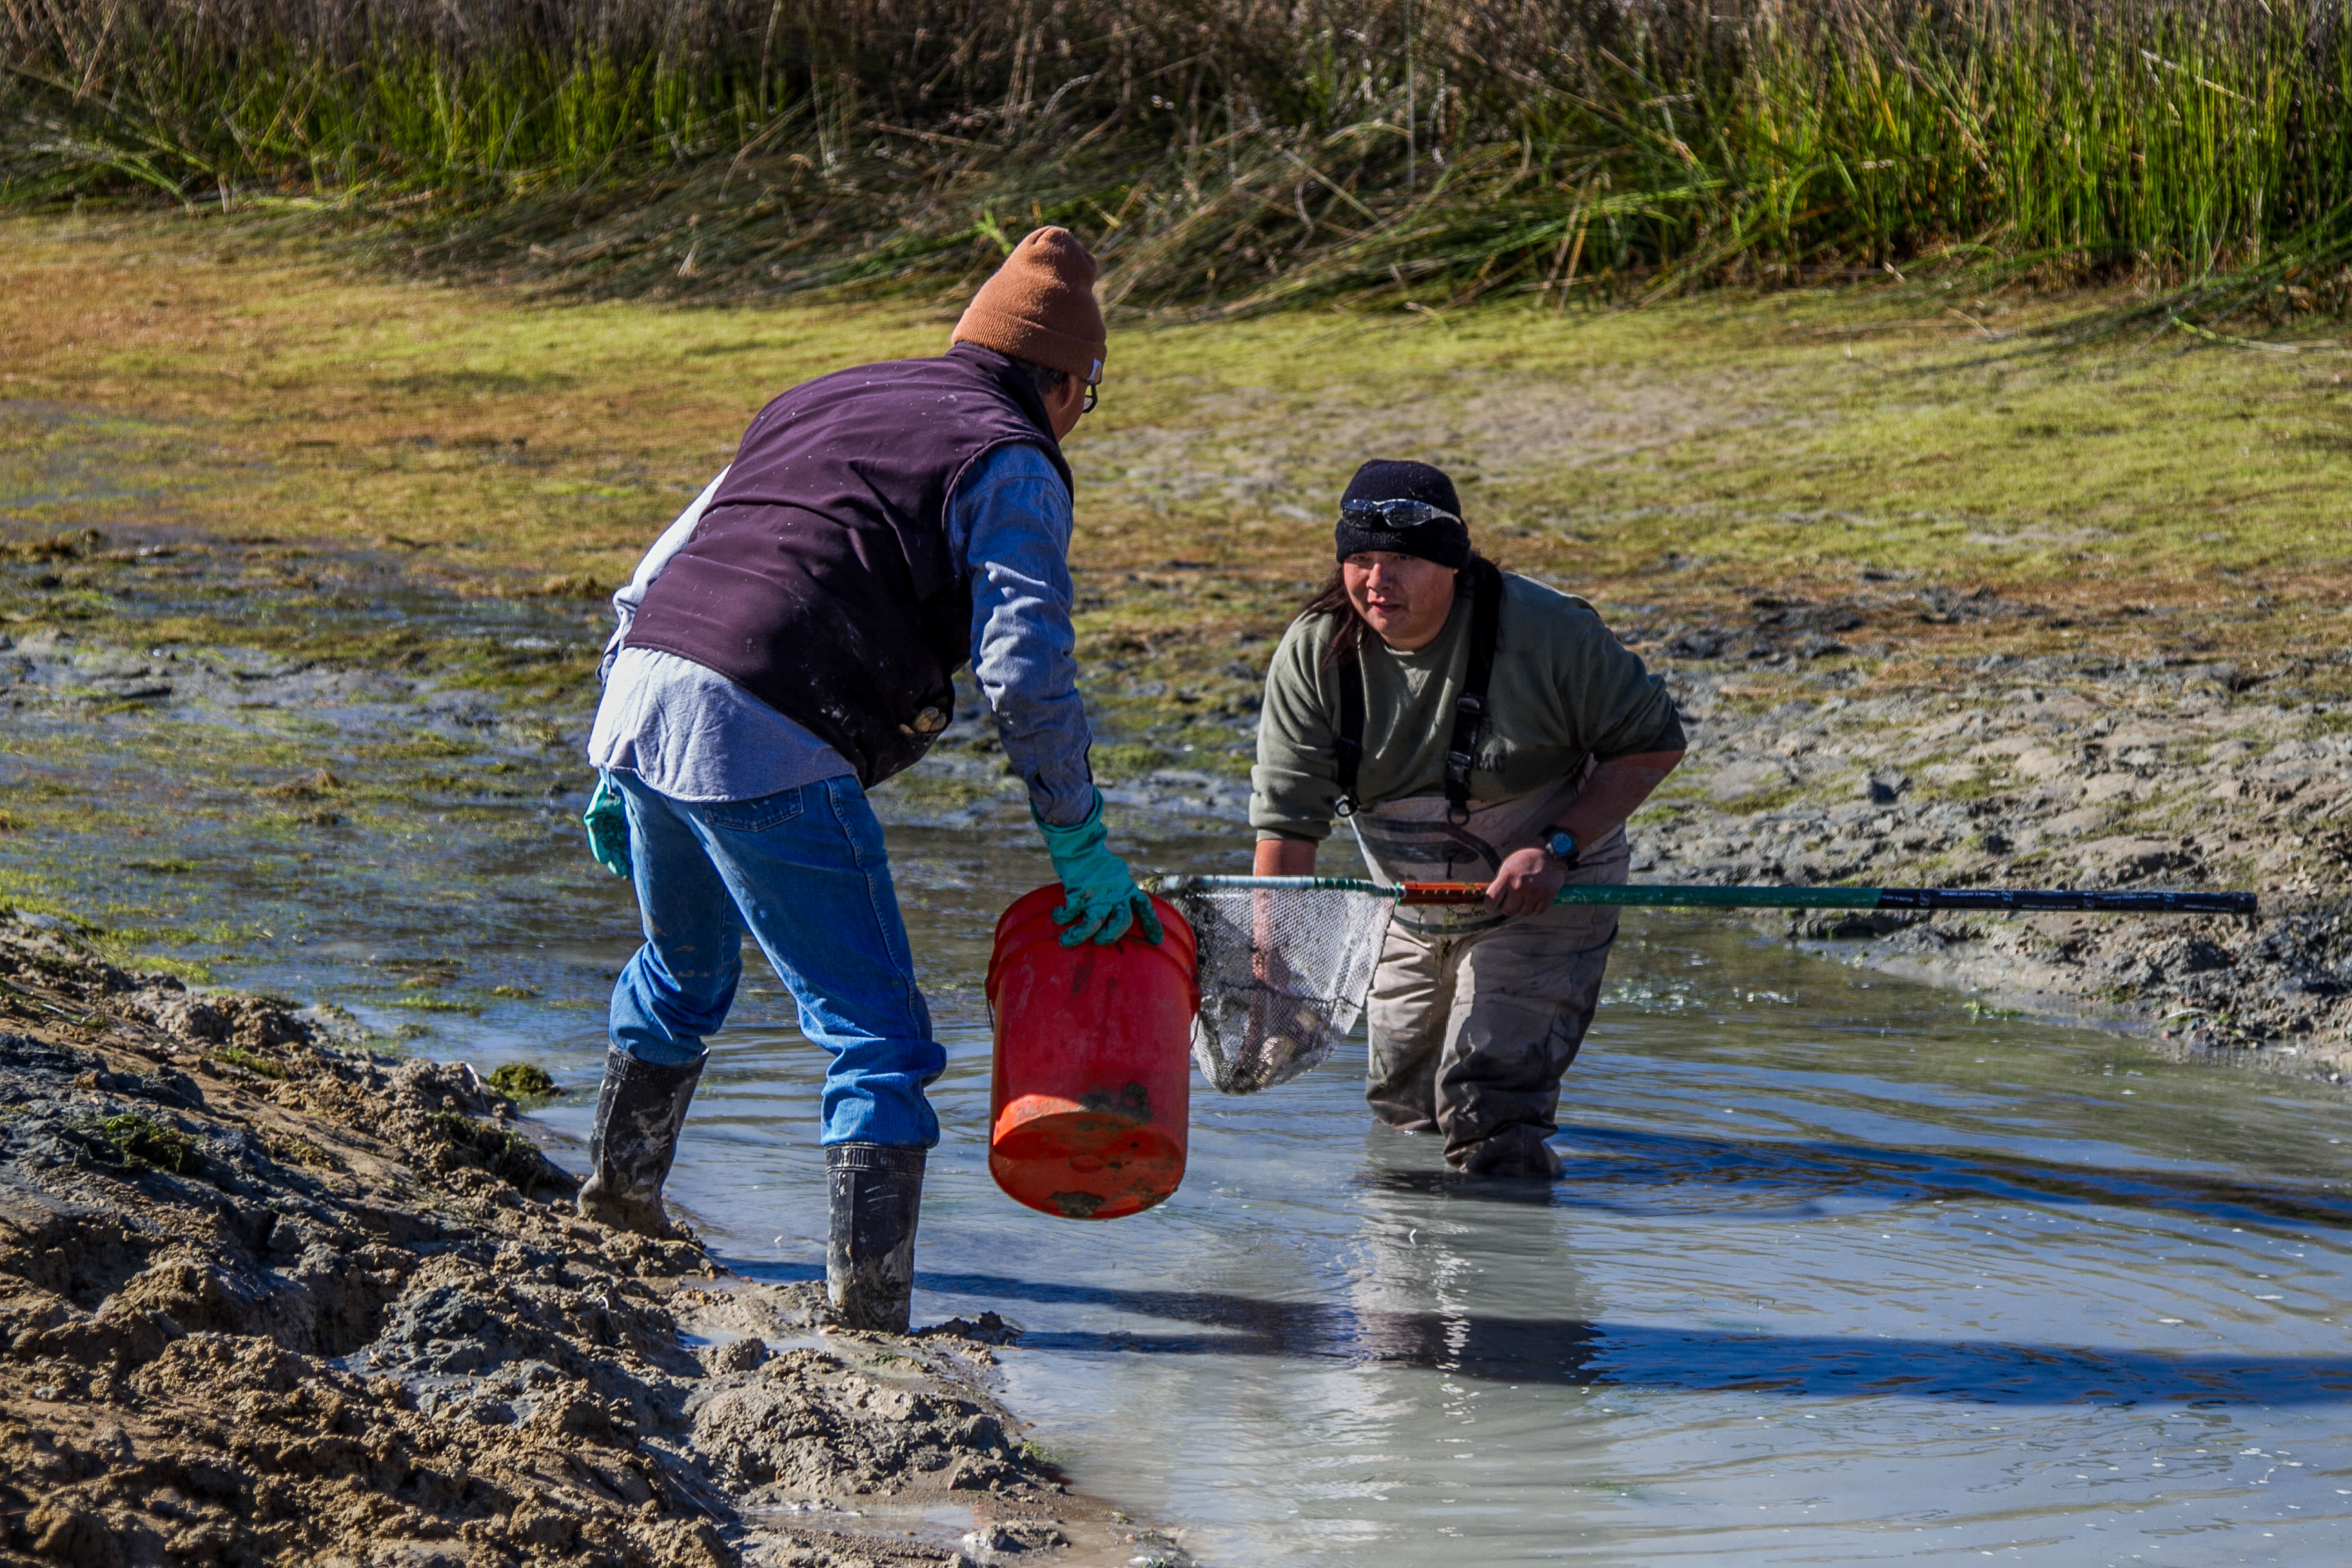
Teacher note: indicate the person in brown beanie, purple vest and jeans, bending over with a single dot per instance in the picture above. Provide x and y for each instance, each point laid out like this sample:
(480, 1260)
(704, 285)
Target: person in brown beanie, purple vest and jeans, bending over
(789, 645)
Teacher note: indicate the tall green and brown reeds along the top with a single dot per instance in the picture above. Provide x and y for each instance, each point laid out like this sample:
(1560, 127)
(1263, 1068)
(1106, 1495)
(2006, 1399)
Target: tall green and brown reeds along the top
(1229, 149)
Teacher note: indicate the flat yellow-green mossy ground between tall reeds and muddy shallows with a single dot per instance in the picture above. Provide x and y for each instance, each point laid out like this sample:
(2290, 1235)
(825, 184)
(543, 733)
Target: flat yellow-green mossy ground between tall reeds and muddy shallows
(1678, 464)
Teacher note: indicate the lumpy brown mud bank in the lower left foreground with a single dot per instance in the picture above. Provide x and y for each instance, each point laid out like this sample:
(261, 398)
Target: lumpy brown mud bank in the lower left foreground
(269, 1296)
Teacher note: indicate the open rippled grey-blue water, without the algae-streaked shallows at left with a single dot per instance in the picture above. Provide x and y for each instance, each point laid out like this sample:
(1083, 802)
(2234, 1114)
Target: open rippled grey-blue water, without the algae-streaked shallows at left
(1836, 1275)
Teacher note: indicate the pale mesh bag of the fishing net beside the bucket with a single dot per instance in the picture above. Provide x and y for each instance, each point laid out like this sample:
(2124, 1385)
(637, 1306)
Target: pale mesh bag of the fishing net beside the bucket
(1283, 979)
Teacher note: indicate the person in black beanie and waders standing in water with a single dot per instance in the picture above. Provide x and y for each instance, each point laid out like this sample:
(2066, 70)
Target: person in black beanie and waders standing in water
(1476, 728)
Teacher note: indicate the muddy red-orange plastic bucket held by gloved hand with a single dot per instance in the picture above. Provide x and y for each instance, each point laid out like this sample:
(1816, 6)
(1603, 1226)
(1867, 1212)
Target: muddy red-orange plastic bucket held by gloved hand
(1095, 1064)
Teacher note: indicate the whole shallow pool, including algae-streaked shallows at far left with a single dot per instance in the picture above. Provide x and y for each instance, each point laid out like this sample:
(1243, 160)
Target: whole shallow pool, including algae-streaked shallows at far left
(1838, 1271)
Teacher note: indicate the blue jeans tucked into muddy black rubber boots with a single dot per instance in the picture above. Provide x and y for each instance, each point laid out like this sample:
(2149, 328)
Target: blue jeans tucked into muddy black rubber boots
(806, 873)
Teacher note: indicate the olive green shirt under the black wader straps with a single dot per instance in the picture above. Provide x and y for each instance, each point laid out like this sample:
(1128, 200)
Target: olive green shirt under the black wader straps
(1563, 690)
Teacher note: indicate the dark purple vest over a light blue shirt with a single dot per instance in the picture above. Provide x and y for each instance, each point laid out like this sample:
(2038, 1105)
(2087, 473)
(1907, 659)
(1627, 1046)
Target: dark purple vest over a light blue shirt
(820, 577)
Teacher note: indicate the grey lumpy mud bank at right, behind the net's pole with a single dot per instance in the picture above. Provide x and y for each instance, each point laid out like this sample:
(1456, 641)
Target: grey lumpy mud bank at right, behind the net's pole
(2043, 772)
